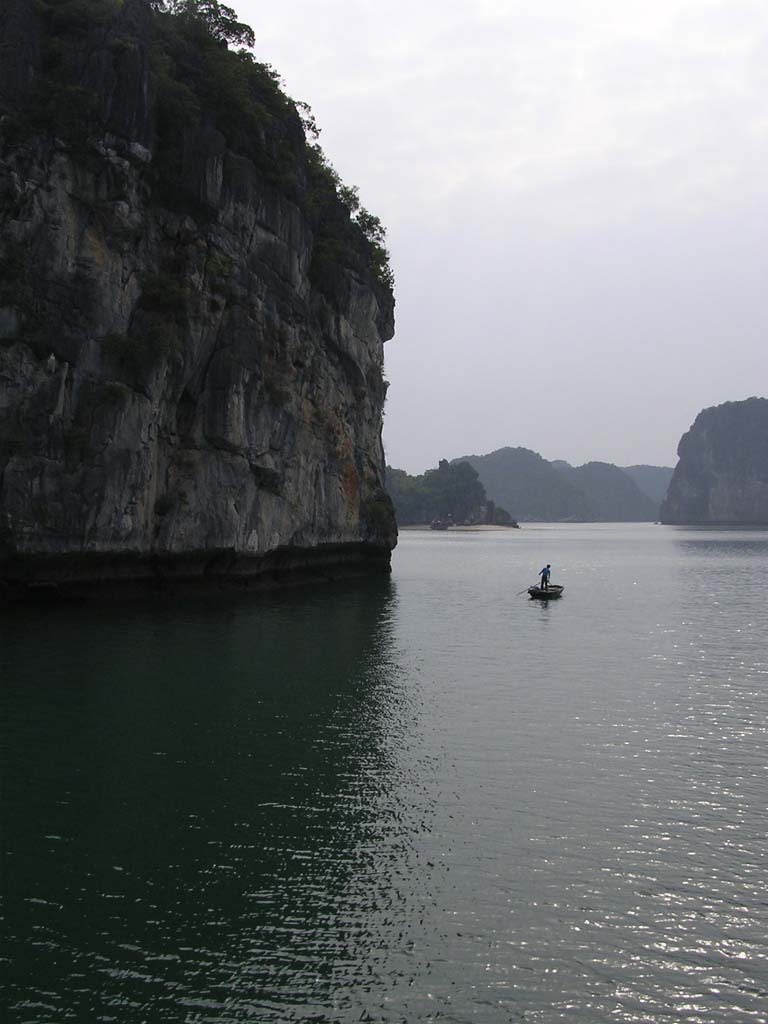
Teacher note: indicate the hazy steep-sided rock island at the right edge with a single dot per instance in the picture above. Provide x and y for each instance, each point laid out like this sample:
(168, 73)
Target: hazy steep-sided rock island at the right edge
(722, 476)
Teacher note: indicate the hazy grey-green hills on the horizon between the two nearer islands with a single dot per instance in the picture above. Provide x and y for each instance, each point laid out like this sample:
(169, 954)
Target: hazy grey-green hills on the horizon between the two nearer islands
(535, 490)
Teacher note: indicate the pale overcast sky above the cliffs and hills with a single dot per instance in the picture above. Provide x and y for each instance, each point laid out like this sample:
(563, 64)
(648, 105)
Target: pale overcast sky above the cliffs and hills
(576, 194)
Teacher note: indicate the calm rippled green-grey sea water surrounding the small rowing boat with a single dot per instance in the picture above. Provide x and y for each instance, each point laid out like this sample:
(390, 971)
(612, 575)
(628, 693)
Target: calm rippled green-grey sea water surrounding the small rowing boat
(418, 799)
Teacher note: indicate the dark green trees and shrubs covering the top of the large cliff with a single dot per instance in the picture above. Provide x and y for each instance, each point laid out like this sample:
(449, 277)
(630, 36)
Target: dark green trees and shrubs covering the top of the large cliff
(203, 75)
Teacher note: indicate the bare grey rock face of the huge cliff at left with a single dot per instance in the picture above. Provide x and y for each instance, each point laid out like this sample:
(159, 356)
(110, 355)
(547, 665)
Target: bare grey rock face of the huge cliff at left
(188, 383)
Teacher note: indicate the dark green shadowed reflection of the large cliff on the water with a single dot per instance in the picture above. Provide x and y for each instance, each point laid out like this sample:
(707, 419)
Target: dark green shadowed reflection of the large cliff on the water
(209, 807)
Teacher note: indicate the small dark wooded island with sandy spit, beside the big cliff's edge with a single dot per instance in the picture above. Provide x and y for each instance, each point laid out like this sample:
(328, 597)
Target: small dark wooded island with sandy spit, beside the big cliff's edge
(451, 495)
